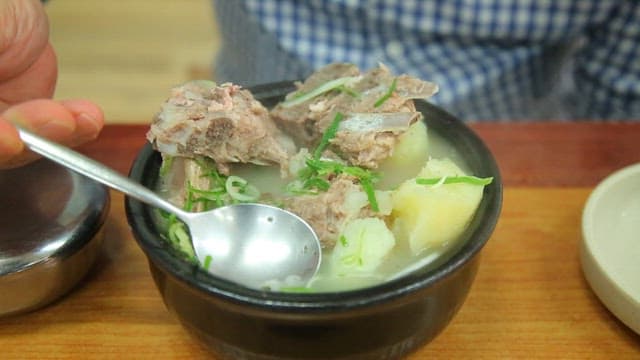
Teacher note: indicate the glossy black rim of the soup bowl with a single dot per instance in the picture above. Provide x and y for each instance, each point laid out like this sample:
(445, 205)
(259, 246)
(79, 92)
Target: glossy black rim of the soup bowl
(479, 159)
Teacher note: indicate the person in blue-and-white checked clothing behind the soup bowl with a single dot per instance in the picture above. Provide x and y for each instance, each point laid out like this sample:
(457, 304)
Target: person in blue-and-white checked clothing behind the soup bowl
(492, 59)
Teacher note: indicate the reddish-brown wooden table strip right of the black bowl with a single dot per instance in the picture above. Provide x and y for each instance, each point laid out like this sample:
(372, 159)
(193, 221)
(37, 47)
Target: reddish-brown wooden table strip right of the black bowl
(561, 154)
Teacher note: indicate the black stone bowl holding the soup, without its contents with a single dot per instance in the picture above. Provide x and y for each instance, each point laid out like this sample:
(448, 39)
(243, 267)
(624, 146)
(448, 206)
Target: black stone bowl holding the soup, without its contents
(381, 322)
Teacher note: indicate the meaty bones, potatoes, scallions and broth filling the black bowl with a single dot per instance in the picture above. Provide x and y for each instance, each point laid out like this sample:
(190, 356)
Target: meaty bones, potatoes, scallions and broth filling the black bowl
(346, 151)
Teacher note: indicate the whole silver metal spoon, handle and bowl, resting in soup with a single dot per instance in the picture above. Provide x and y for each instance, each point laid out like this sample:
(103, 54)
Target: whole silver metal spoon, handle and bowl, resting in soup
(251, 244)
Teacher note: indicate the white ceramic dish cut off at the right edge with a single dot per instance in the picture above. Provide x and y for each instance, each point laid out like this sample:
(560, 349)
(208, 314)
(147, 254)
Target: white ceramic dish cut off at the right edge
(610, 252)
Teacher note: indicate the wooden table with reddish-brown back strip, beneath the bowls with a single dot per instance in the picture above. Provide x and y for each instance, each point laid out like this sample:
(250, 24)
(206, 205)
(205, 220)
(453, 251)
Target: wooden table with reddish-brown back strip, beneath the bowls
(530, 299)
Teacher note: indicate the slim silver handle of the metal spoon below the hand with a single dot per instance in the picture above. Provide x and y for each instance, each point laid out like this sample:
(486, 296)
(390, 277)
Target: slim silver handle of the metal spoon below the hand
(94, 170)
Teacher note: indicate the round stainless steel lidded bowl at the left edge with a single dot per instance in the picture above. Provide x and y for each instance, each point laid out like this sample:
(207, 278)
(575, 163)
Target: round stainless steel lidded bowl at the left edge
(50, 221)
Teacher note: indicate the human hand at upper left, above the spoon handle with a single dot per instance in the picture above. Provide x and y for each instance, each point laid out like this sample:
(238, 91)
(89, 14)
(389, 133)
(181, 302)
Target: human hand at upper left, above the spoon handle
(28, 73)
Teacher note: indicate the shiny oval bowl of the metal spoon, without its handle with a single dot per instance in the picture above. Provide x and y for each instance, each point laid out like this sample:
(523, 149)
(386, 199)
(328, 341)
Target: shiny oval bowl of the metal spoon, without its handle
(257, 245)
